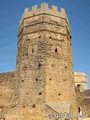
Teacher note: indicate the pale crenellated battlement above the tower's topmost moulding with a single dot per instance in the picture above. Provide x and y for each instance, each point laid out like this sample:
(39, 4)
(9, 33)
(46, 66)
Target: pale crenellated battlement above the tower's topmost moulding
(44, 9)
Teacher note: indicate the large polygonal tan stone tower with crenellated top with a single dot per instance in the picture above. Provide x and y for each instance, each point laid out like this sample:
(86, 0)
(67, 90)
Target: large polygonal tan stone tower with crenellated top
(44, 69)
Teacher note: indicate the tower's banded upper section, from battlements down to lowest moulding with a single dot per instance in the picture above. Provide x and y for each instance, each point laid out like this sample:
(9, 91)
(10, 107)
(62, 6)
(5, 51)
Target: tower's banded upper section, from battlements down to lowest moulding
(49, 19)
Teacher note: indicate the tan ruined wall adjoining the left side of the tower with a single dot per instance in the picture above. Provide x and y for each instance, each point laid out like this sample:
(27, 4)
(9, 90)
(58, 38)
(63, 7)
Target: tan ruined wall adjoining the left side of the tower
(7, 86)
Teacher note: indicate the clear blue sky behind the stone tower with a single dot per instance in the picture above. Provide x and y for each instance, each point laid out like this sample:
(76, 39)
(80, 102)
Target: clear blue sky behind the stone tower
(78, 12)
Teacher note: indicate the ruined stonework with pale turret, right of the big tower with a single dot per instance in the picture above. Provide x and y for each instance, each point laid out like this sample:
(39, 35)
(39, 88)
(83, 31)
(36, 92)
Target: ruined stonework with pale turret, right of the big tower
(82, 93)
